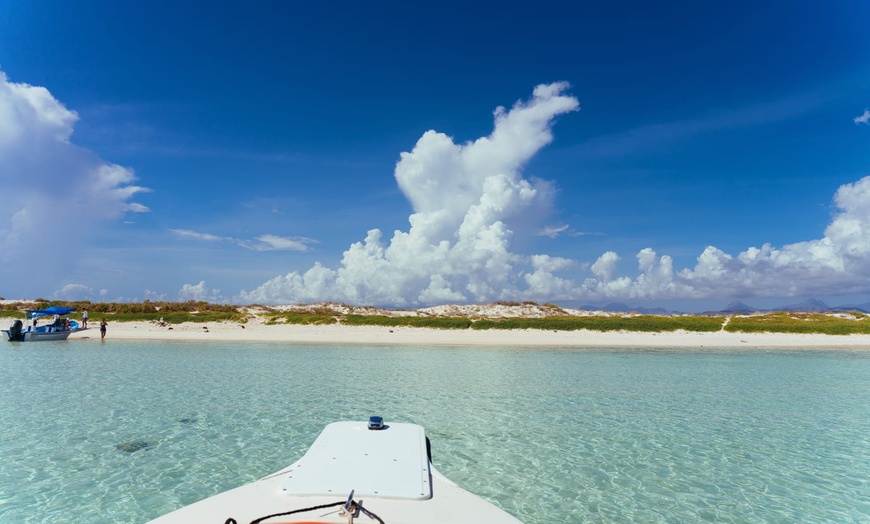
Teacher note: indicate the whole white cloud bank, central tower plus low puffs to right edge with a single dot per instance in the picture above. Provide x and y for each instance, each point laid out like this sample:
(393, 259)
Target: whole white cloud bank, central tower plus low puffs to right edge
(470, 200)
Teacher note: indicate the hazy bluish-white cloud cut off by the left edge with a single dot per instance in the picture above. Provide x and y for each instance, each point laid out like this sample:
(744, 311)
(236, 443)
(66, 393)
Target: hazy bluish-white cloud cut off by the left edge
(53, 190)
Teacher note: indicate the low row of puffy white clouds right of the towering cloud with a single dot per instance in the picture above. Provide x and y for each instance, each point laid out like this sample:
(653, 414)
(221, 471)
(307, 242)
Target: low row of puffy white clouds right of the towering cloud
(837, 263)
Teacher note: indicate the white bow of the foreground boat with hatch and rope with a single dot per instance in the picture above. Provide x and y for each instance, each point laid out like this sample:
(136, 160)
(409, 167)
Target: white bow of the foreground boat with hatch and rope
(355, 472)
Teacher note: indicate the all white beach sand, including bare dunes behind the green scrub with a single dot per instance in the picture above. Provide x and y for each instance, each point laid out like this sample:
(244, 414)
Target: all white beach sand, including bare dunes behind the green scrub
(257, 330)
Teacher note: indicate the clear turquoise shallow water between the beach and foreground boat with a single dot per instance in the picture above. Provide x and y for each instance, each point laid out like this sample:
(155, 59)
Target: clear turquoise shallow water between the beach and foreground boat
(121, 432)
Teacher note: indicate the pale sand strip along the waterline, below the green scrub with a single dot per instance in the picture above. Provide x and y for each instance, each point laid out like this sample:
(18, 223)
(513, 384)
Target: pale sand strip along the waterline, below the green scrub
(339, 334)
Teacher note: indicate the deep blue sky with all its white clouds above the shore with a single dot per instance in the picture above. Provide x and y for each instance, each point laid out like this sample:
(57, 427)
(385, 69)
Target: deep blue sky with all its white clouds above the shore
(681, 154)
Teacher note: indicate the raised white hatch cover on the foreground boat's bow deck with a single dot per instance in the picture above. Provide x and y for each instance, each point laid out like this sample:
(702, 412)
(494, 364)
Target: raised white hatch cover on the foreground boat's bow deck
(391, 463)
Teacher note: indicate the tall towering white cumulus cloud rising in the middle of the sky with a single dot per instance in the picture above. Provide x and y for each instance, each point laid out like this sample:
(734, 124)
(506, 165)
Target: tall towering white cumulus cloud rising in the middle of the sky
(468, 200)
